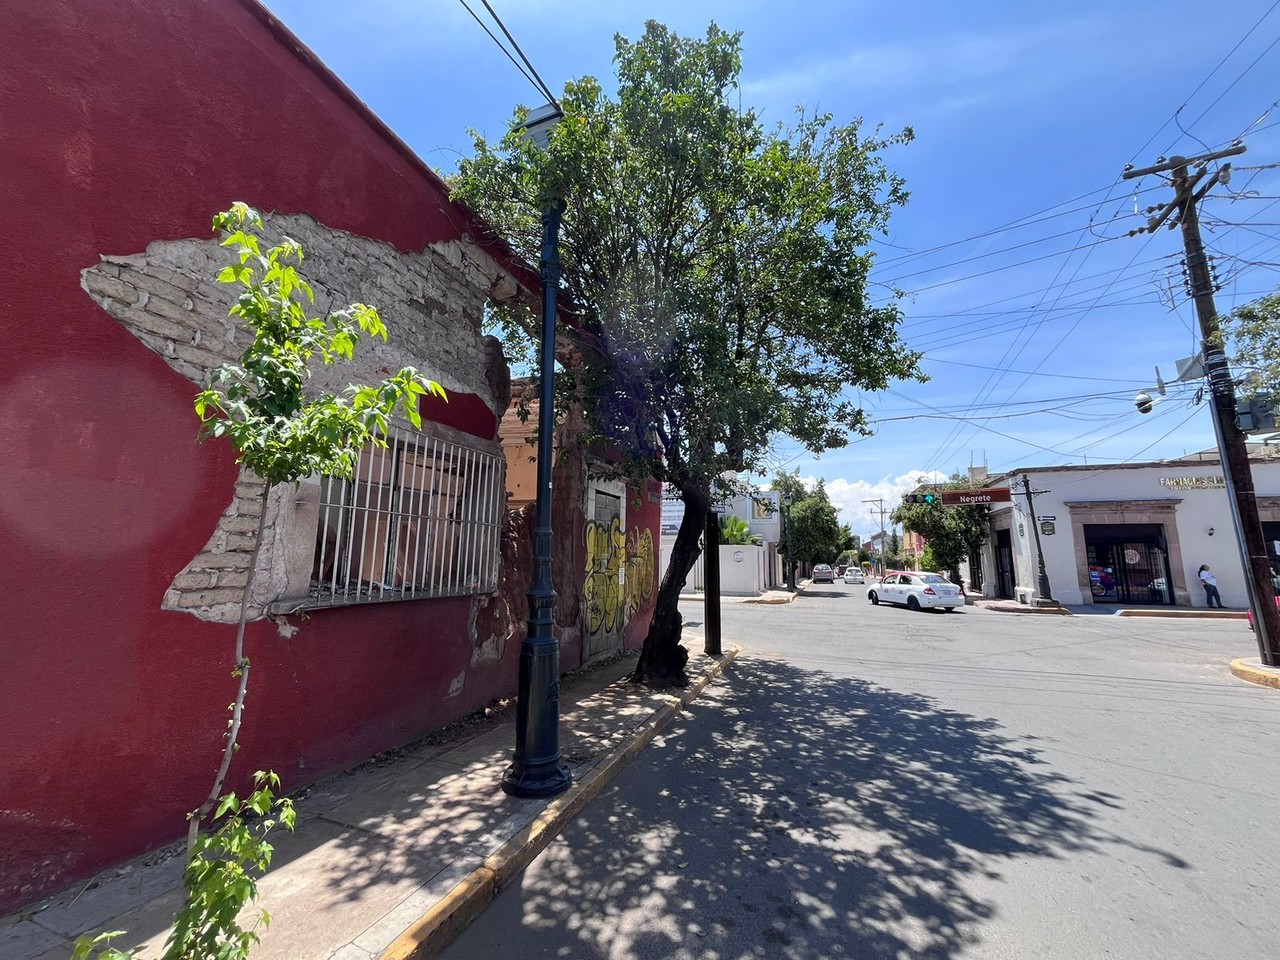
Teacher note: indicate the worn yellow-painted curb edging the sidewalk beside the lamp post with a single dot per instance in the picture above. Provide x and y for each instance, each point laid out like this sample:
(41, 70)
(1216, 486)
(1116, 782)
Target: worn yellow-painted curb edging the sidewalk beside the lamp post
(449, 917)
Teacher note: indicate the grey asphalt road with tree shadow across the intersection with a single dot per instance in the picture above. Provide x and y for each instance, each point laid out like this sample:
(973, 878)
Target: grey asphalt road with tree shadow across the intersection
(871, 783)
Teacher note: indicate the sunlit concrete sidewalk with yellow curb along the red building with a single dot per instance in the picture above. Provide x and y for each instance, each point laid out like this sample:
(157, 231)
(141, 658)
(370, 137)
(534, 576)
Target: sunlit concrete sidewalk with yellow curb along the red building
(396, 857)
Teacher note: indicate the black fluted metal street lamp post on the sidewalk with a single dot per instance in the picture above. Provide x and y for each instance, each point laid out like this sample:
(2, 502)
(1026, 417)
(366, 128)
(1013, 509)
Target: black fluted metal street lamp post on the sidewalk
(537, 770)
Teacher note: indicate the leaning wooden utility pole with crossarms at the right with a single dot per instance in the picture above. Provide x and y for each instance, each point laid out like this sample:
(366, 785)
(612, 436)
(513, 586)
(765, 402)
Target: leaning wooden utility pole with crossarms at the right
(1233, 452)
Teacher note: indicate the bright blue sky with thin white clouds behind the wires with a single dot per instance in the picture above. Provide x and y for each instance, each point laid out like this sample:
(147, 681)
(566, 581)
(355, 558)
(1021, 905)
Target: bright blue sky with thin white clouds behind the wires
(1036, 337)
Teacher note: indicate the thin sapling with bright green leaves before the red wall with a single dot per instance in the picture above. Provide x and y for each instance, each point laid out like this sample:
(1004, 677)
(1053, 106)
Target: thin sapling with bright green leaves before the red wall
(284, 435)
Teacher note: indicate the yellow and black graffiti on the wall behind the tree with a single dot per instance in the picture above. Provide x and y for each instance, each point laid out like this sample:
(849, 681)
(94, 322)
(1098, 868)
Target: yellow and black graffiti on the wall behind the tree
(620, 573)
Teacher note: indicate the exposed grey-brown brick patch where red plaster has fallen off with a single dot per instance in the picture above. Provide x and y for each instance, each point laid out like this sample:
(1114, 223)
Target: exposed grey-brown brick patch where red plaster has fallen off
(433, 304)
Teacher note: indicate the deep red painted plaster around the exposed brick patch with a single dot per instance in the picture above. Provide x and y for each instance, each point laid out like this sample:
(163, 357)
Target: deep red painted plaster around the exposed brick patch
(125, 124)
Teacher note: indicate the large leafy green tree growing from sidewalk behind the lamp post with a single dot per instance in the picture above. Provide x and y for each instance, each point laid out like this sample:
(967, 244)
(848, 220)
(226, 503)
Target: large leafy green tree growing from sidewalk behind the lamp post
(717, 269)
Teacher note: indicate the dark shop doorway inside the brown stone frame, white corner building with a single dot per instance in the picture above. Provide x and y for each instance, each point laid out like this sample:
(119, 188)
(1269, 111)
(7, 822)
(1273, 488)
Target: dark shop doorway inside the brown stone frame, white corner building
(1128, 564)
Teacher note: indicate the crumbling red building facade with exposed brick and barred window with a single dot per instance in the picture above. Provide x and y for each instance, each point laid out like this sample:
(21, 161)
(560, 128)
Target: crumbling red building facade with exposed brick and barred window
(386, 606)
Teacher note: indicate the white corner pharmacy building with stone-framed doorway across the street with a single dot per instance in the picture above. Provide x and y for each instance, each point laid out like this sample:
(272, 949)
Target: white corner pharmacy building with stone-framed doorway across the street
(1126, 534)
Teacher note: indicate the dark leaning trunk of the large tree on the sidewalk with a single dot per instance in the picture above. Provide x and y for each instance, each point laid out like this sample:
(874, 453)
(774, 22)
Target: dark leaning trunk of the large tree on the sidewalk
(662, 659)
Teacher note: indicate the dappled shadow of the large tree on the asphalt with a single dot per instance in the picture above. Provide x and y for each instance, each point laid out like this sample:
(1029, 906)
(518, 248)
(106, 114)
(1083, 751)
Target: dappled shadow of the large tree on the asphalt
(798, 815)
